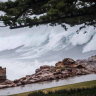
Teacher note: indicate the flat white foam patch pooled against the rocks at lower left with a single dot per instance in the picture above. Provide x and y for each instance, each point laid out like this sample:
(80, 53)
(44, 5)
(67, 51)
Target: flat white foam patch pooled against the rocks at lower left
(17, 69)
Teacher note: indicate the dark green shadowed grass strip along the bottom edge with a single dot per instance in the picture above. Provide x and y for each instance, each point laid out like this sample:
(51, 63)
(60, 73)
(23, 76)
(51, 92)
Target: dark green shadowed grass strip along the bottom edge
(72, 92)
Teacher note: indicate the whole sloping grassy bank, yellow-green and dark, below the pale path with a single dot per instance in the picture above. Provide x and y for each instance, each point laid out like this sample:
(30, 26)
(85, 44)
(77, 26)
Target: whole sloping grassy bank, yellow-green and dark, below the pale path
(78, 89)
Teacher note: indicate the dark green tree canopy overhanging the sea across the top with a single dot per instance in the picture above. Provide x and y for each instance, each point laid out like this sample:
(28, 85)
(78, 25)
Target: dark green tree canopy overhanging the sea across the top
(27, 13)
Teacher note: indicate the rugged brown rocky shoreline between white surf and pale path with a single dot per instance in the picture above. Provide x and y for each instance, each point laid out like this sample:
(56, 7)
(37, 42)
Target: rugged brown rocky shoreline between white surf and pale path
(62, 69)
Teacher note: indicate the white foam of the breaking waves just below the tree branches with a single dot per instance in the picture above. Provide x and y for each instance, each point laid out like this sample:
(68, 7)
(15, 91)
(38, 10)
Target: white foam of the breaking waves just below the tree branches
(38, 40)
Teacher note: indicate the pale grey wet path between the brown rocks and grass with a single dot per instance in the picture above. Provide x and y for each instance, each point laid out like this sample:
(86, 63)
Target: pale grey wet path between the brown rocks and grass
(43, 85)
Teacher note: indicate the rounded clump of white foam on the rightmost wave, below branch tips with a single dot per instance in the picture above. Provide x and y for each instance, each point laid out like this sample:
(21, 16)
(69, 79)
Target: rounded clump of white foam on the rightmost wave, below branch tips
(83, 38)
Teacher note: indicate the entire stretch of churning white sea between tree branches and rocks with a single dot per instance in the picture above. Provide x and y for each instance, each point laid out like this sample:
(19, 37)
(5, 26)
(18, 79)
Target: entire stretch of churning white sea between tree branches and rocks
(23, 50)
